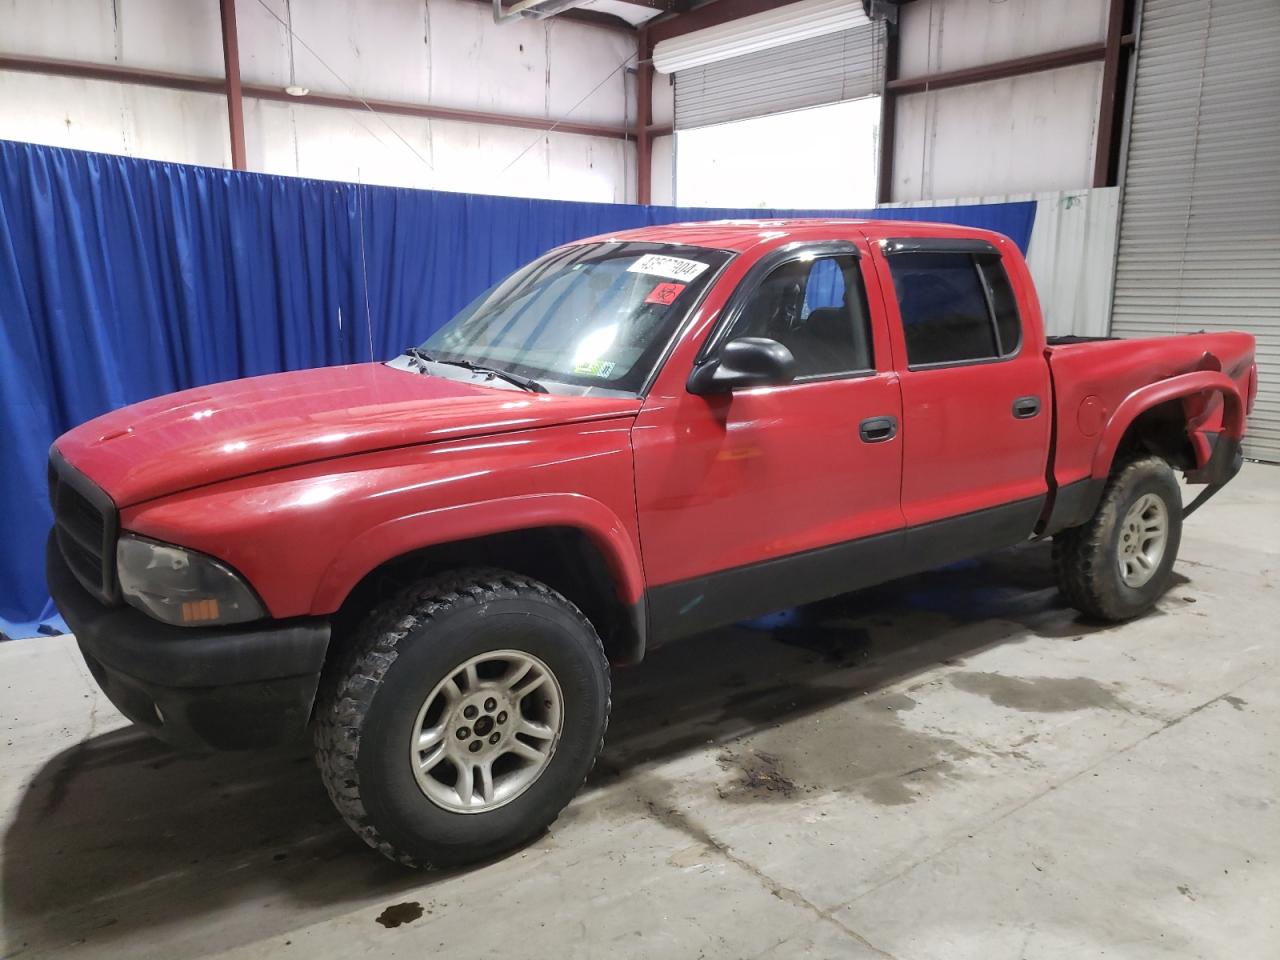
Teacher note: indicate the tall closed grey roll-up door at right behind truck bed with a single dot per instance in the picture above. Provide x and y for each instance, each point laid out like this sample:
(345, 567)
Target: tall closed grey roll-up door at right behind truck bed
(1200, 228)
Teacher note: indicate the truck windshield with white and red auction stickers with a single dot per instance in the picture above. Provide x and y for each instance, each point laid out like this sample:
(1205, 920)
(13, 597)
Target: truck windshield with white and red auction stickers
(596, 316)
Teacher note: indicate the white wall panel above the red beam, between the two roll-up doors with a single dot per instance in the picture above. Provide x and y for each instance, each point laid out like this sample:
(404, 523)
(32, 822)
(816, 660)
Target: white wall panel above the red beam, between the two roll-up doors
(950, 35)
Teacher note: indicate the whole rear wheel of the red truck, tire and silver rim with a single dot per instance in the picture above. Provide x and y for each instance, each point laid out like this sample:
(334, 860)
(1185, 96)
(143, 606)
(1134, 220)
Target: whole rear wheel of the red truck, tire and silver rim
(1121, 563)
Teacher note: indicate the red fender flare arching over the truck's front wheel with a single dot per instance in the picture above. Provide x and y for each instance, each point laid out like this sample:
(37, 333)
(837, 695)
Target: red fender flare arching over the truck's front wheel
(403, 536)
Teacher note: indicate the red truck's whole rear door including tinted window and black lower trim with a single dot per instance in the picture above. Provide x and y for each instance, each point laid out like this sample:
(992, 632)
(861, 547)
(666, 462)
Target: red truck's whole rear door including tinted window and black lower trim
(976, 399)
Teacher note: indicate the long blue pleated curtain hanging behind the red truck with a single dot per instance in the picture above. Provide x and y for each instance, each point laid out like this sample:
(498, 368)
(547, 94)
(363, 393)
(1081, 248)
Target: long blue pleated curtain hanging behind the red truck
(122, 280)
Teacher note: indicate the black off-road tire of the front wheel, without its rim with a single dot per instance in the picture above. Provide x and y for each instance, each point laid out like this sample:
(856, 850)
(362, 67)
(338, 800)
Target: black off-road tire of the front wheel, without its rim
(367, 711)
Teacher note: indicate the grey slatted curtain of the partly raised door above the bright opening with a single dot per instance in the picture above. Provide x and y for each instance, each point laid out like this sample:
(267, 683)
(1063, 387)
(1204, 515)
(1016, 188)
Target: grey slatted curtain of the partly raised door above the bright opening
(844, 66)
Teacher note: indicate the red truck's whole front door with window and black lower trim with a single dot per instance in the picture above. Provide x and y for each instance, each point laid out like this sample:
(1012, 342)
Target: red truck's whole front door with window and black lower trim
(764, 499)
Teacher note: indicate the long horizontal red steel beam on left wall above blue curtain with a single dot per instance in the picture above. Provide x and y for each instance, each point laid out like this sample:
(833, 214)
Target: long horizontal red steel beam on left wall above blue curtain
(202, 85)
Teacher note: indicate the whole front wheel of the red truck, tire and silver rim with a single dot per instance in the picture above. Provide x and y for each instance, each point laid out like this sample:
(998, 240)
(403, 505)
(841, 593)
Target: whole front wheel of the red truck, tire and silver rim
(467, 716)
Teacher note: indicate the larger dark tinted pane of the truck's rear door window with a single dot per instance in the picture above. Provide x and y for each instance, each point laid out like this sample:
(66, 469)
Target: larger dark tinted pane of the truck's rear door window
(944, 308)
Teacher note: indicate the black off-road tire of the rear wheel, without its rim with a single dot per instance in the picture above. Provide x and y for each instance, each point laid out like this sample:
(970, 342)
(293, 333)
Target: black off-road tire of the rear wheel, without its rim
(1087, 557)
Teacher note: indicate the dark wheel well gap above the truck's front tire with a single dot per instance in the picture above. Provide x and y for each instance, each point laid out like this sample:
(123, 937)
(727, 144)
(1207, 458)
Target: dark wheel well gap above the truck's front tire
(565, 559)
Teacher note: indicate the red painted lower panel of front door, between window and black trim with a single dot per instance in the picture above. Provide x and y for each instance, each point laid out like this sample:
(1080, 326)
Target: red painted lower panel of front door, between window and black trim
(735, 479)
